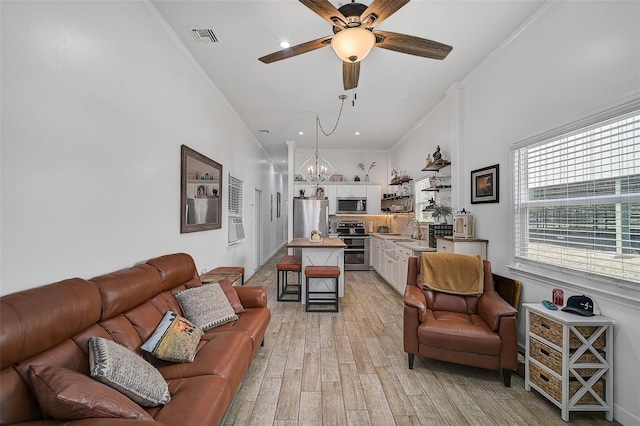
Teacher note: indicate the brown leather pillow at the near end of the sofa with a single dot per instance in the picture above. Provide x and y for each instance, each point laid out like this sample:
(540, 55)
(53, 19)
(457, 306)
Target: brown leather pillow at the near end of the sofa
(67, 394)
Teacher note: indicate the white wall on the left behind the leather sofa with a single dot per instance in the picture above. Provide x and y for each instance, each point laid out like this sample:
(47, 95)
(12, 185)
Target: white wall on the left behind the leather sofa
(96, 100)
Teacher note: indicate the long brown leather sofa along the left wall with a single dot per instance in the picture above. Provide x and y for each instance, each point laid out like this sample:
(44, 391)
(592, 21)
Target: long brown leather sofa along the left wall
(51, 325)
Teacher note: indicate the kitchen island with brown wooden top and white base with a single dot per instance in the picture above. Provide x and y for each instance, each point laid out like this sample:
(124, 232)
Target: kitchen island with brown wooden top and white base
(327, 251)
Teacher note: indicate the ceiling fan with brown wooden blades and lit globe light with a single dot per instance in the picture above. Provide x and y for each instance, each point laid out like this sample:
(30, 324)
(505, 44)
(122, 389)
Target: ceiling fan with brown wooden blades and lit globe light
(354, 36)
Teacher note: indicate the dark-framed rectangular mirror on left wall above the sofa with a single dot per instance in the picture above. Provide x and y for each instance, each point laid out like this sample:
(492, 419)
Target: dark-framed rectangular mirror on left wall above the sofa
(200, 192)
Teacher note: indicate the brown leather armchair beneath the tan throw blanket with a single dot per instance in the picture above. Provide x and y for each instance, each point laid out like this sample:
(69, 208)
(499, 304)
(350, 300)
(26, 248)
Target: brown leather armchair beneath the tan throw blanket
(479, 331)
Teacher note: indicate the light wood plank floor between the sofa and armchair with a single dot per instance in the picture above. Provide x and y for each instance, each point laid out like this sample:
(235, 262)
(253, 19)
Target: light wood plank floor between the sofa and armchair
(349, 368)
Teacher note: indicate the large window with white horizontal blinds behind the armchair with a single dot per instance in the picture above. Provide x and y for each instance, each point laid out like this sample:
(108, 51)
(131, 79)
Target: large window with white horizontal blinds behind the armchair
(577, 200)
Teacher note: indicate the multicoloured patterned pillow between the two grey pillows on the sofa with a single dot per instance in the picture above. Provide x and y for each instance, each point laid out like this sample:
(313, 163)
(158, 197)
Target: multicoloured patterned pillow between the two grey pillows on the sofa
(175, 339)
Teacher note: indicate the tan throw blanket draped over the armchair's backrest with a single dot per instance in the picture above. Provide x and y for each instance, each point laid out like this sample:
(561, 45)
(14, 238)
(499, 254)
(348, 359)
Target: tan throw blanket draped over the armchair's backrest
(452, 273)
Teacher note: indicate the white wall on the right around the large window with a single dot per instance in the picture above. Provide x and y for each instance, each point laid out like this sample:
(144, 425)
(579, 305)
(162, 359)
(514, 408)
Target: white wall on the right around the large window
(569, 61)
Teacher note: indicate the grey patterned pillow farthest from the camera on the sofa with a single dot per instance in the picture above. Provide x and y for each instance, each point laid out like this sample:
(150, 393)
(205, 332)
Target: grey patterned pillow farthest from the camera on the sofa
(206, 306)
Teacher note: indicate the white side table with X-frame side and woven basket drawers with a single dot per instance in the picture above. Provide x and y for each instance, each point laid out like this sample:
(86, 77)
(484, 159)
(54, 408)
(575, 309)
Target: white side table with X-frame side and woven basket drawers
(569, 359)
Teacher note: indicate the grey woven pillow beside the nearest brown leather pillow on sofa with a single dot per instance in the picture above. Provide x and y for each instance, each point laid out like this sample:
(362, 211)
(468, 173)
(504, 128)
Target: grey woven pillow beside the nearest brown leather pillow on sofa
(125, 371)
